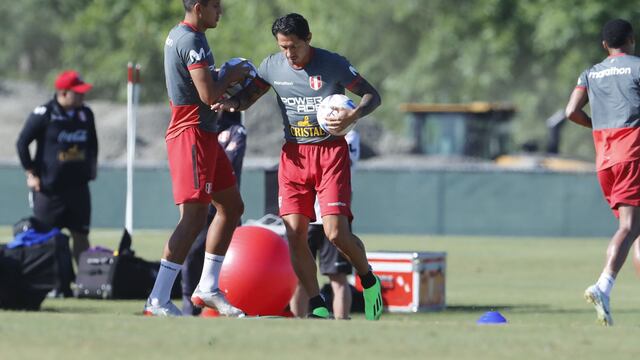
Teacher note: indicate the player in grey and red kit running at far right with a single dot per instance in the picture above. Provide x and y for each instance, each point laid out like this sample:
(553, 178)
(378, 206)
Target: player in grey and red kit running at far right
(612, 87)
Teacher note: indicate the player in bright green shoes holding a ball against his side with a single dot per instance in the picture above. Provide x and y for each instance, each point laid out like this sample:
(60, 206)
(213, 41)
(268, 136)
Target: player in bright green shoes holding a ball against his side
(314, 161)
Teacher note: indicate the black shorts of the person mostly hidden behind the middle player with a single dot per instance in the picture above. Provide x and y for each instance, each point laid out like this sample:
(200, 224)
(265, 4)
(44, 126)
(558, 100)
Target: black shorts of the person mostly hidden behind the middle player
(331, 260)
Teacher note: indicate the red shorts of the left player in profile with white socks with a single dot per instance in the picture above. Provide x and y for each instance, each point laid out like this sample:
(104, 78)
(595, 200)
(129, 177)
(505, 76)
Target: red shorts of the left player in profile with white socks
(198, 166)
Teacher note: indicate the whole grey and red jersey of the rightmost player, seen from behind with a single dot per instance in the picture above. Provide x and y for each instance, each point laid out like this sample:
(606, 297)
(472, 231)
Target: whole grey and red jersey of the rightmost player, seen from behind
(613, 88)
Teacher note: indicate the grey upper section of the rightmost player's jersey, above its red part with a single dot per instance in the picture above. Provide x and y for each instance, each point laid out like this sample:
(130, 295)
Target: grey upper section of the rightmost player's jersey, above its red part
(613, 87)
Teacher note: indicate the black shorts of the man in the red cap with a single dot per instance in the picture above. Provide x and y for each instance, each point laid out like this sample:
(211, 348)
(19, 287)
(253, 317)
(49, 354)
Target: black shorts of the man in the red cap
(70, 208)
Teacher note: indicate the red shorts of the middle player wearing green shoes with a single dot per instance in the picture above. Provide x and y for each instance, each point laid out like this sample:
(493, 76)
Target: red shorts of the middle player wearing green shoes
(310, 169)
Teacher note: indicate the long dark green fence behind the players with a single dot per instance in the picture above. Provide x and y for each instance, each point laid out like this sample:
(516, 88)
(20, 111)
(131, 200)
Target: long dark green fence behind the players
(398, 201)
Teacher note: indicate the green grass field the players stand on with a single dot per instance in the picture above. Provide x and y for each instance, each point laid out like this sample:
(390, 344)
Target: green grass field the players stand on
(536, 283)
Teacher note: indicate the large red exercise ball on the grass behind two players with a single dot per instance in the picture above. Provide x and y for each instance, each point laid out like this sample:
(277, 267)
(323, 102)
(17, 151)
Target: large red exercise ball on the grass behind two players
(256, 274)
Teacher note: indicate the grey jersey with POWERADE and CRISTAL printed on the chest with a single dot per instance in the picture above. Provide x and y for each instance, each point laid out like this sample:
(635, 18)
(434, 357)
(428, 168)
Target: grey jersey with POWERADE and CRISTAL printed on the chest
(300, 91)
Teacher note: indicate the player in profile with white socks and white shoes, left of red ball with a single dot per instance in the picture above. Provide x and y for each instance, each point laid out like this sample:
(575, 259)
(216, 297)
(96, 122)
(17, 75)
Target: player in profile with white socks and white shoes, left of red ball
(200, 171)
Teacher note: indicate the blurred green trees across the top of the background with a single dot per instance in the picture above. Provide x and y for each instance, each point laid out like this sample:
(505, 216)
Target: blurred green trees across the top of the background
(529, 53)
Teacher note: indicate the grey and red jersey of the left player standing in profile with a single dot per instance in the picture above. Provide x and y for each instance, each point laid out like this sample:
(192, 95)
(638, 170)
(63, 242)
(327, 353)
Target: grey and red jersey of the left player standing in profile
(186, 49)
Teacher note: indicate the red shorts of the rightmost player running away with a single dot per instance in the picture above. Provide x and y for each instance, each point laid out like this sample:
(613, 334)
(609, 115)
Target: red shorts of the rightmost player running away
(620, 184)
